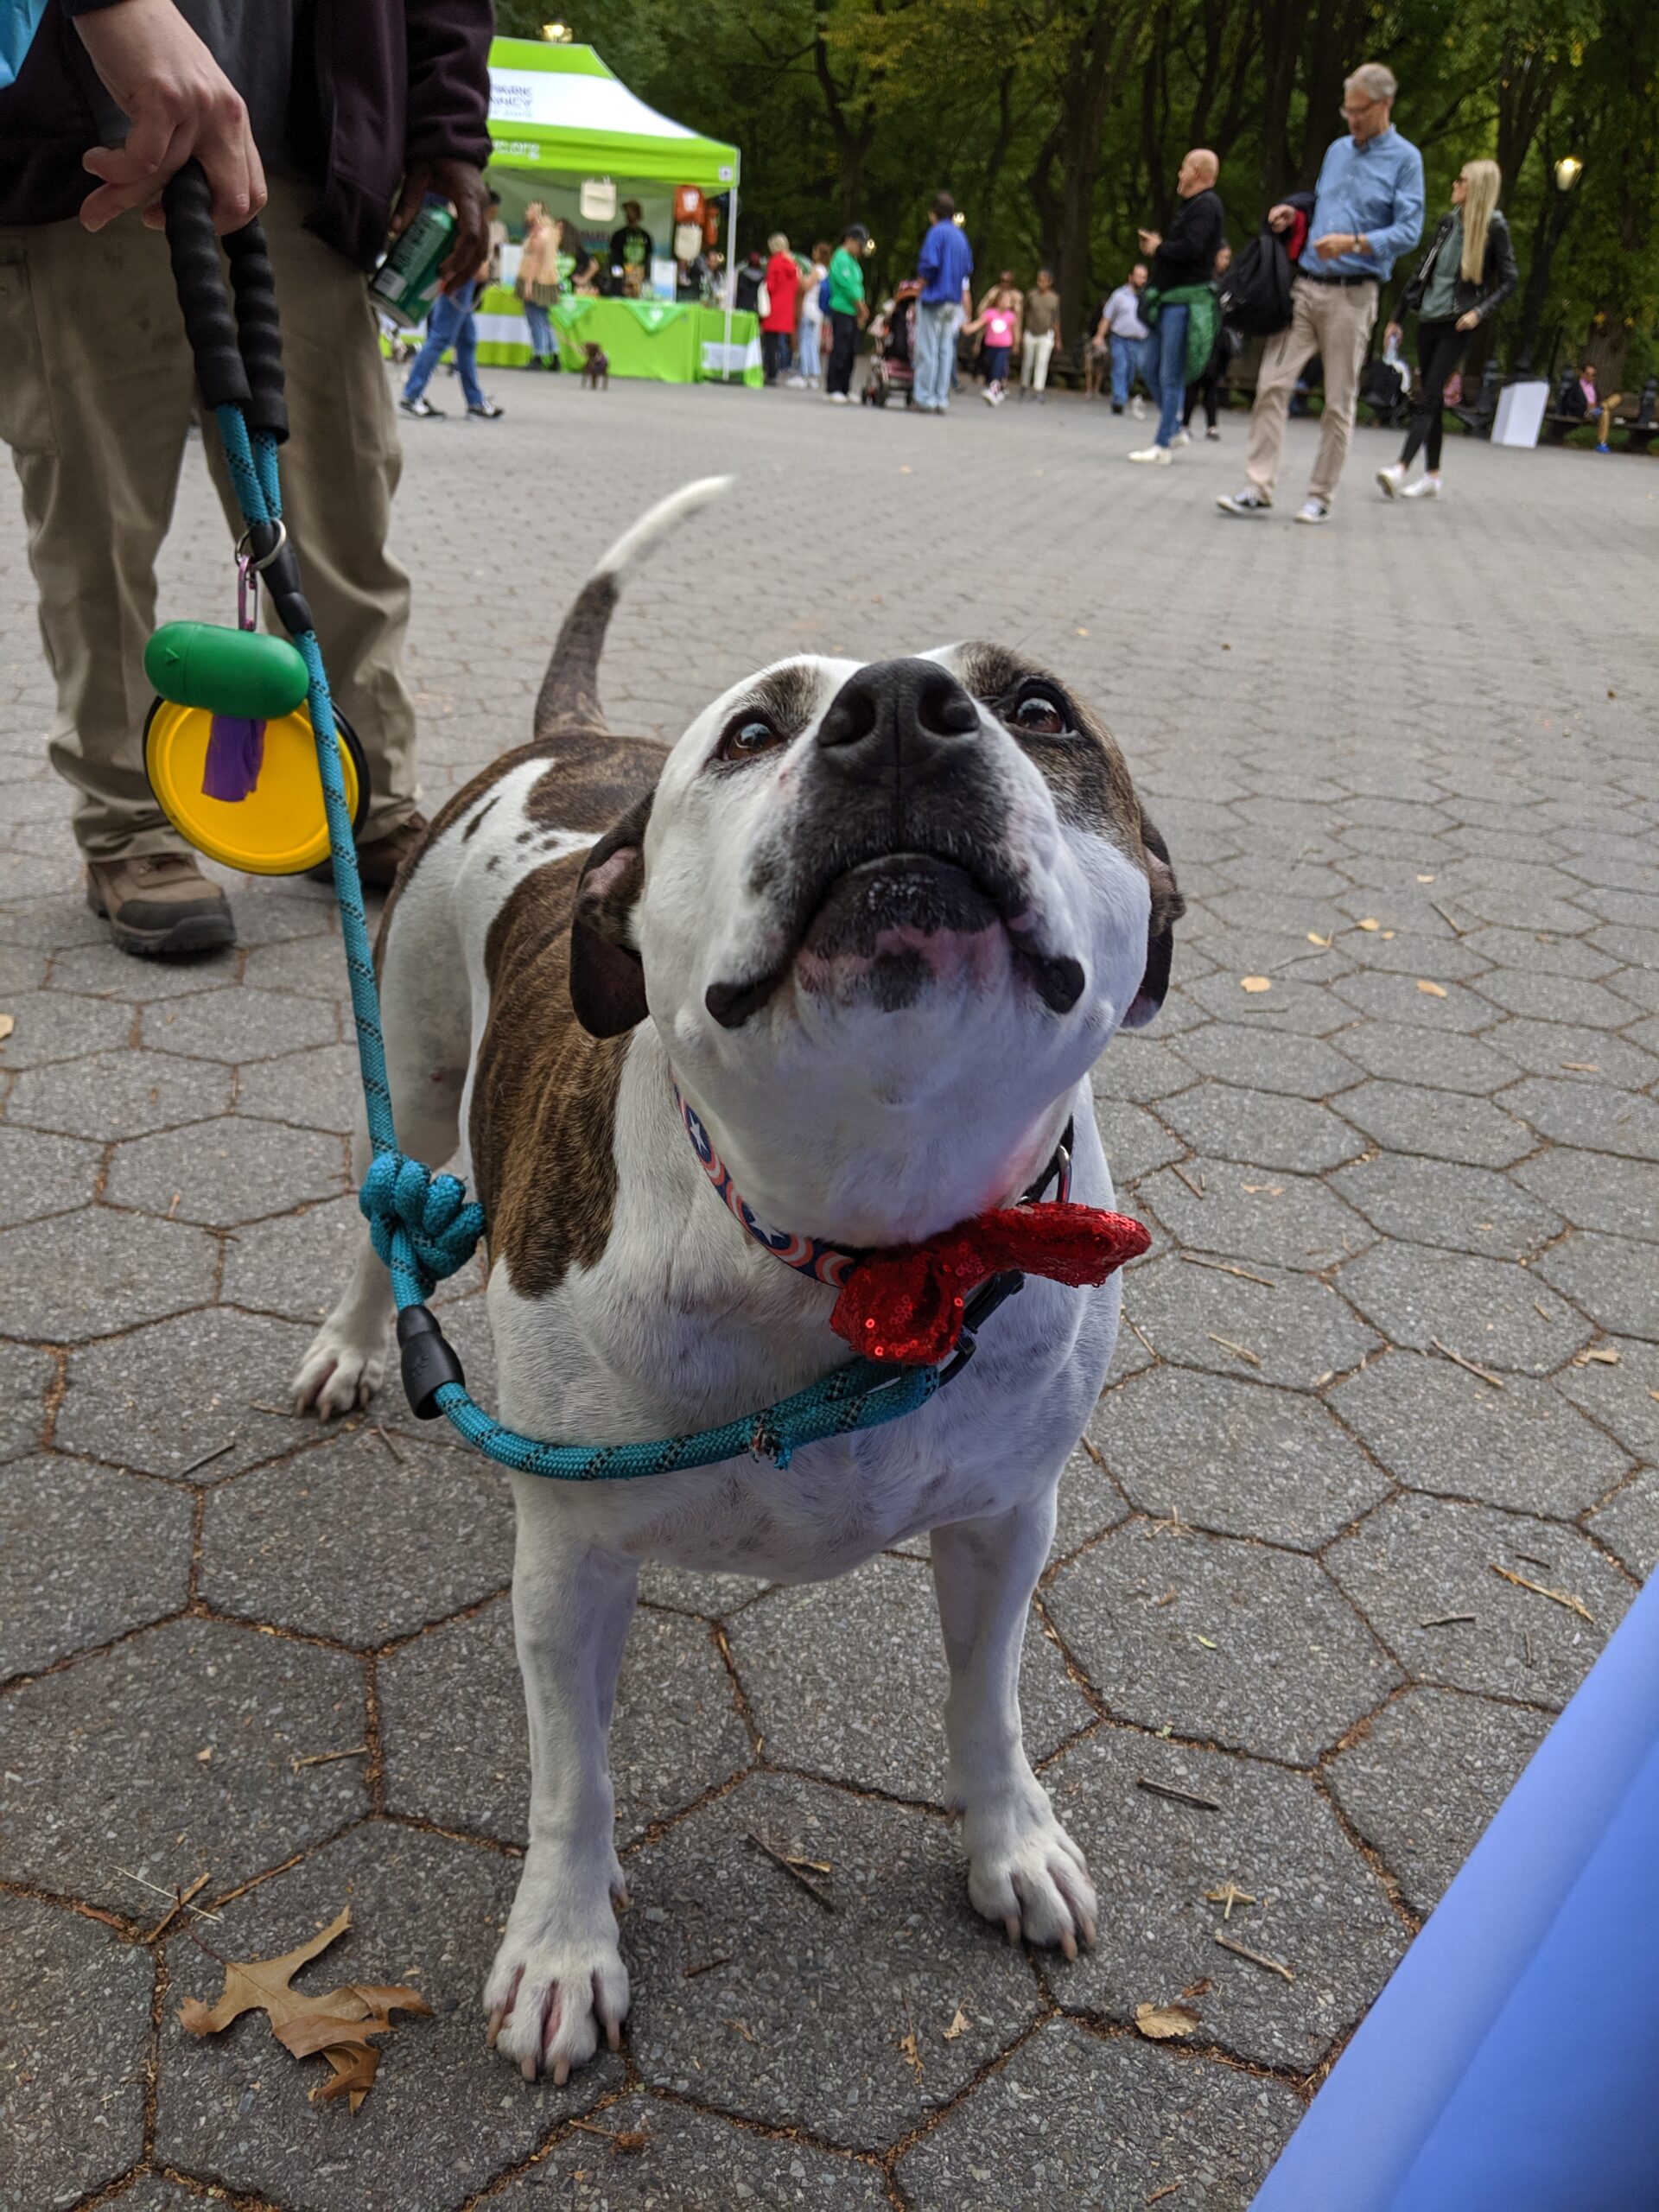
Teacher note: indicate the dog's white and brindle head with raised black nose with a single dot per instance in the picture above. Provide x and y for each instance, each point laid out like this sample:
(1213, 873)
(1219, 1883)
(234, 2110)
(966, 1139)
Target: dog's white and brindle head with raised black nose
(866, 895)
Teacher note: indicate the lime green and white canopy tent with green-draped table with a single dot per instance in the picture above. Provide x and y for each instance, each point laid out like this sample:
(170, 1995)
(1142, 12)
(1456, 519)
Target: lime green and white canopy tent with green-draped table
(561, 118)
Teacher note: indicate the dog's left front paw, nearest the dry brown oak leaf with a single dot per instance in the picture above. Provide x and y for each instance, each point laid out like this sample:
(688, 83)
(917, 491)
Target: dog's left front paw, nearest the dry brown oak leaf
(552, 1992)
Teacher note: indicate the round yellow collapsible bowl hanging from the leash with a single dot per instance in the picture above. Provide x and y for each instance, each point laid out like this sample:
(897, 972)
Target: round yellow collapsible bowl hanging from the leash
(280, 828)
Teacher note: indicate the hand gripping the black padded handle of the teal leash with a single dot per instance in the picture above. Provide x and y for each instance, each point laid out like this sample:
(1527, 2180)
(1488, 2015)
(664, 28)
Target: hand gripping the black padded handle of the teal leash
(180, 105)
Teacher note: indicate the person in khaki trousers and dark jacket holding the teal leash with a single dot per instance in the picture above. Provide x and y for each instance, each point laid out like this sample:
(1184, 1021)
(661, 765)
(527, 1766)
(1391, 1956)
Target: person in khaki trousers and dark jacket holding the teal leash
(331, 121)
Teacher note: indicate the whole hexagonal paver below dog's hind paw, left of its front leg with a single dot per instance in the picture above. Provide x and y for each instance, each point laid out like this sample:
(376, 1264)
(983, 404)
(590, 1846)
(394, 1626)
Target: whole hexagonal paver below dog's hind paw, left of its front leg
(340, 1541)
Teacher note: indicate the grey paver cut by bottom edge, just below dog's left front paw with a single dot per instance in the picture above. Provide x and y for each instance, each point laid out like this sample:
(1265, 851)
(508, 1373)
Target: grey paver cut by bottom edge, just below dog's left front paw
(678, 2158)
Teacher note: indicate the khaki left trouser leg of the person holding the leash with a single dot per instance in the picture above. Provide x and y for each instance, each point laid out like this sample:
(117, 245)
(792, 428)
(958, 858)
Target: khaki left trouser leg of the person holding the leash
(96, 397)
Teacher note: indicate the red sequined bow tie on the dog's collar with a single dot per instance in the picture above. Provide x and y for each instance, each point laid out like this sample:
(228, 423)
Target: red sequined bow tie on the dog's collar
(908, 1306)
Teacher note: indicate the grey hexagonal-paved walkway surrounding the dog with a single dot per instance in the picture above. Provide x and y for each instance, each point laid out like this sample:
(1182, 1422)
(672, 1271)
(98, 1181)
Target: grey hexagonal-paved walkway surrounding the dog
(1390, 1361)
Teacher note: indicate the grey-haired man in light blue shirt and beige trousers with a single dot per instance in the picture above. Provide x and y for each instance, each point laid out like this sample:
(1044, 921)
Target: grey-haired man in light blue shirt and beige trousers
(1366, 213)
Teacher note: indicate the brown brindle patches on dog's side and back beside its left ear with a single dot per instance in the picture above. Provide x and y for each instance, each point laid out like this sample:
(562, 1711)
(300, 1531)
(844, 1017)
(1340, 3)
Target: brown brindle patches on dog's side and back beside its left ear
(545, 1092)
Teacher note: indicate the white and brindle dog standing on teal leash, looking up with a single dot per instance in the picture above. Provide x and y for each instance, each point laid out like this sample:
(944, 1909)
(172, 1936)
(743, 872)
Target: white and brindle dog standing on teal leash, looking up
(873, 924)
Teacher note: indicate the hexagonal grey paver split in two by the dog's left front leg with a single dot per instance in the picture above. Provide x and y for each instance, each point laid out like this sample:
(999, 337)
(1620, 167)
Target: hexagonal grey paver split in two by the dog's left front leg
(452, 1724)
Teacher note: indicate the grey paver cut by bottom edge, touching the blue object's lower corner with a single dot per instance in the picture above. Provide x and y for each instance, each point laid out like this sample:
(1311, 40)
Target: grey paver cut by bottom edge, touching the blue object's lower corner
(1100, 2125)
